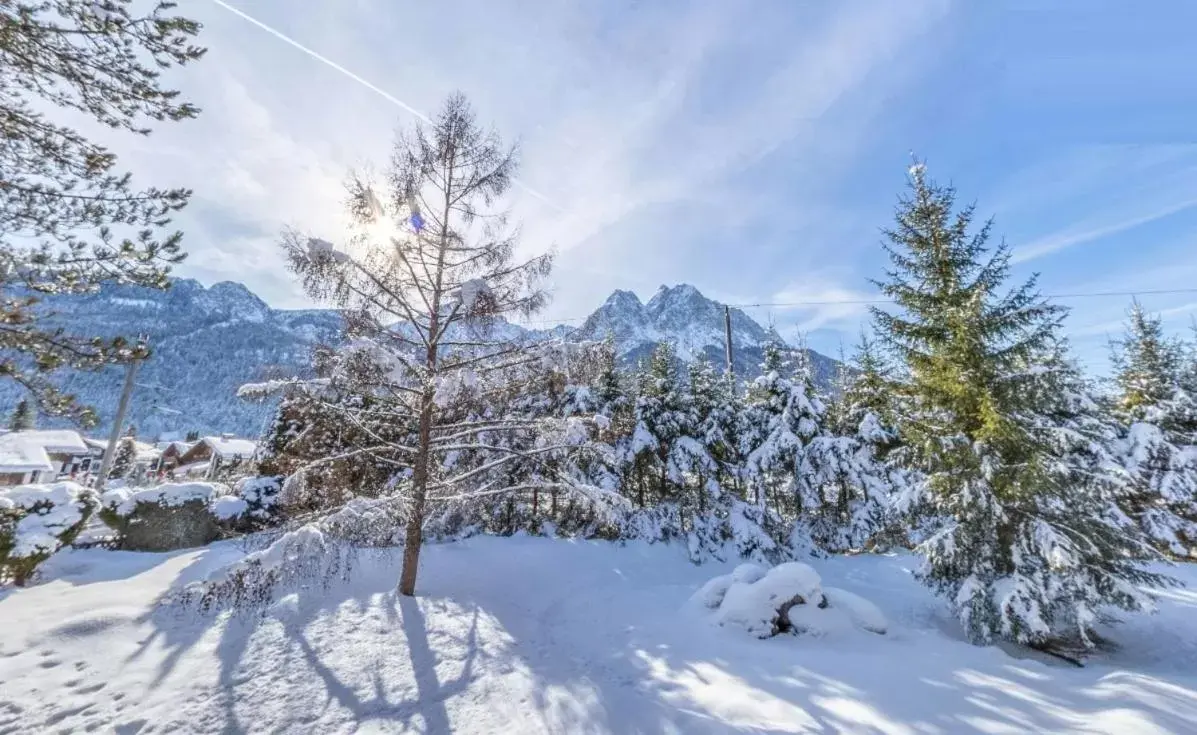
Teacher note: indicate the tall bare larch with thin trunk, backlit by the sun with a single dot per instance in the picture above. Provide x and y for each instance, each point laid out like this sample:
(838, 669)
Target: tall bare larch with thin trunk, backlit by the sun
(445, 271)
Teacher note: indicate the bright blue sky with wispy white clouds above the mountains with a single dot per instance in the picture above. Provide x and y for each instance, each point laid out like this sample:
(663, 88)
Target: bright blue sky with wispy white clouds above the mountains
(754, 149)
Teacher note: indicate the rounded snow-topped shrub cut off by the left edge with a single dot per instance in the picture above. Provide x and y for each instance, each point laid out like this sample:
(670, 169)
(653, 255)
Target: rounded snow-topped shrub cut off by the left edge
(39, 520)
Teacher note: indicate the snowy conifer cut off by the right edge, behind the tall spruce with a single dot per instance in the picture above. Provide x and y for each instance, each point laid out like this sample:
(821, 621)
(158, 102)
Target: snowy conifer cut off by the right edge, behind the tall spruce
(1158, 405)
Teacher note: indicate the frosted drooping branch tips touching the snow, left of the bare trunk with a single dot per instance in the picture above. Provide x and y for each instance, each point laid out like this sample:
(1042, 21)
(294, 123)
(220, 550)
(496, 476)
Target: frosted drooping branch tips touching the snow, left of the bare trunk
(300, 557)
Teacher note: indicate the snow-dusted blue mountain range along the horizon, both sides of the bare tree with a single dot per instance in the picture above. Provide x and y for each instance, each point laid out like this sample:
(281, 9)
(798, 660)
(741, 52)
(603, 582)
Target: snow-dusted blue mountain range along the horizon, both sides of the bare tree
(208, 342)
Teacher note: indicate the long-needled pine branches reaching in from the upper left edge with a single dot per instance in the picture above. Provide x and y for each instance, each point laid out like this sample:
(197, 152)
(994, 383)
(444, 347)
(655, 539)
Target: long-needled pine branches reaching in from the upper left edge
(70, 221)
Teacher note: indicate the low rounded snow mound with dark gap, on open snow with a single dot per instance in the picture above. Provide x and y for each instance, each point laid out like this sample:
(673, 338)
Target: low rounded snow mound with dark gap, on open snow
(788, 599)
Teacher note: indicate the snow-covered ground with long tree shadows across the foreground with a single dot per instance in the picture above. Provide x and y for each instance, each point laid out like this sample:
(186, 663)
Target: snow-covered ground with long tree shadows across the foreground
(534, 635)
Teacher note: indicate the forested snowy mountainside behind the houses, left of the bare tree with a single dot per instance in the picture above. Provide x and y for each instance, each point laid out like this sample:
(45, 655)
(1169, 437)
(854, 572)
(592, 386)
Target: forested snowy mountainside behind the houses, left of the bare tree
(206, 343)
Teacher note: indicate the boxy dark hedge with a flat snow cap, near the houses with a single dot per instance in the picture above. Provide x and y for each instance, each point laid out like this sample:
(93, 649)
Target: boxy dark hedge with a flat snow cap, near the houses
(175, 515)
